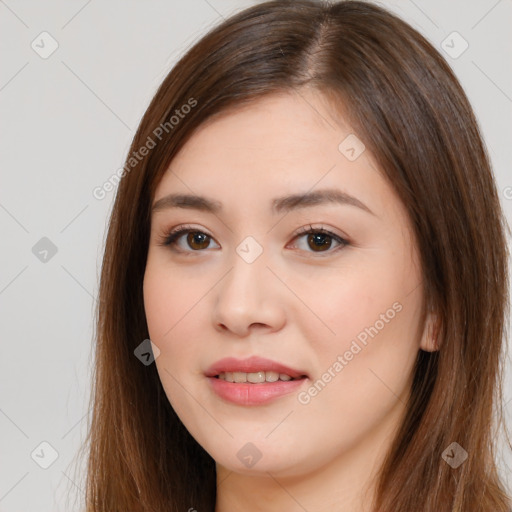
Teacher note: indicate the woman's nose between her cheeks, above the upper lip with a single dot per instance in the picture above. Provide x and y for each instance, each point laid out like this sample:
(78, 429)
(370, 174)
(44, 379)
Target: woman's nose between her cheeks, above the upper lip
(249, 298)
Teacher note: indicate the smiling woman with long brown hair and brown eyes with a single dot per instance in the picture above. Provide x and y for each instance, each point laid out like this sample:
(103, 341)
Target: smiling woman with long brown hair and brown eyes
(304, 285)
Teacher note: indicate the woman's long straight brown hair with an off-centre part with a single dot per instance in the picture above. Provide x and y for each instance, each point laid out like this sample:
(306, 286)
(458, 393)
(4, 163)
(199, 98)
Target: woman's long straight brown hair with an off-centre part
(405, 104)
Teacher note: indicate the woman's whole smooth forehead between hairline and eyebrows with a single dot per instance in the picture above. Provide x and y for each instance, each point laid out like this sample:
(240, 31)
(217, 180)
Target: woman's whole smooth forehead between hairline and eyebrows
(281, 144)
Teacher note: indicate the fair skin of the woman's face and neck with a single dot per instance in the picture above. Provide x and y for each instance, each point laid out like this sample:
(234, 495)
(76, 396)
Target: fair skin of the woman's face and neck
(292, 304)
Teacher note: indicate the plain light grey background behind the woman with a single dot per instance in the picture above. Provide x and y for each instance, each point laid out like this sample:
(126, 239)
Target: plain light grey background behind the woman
(66, 124)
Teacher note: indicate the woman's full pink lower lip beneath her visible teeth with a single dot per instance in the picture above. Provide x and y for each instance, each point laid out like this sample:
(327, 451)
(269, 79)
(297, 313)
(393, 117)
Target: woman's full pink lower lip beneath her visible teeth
(253, 394)
